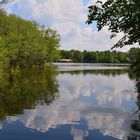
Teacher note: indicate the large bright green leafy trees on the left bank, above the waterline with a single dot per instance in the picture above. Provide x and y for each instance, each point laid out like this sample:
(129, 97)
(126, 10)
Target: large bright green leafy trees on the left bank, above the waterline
(26, 44)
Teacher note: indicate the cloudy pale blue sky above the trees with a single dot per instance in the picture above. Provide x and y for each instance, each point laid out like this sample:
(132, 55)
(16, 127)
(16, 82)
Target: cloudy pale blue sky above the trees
(68, 17)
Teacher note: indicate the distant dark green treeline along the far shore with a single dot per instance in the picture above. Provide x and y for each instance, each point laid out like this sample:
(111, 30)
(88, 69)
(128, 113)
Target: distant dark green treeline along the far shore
(100, 56)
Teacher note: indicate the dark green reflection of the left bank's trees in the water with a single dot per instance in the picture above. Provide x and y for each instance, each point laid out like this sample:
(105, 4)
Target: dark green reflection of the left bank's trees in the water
(25, 89)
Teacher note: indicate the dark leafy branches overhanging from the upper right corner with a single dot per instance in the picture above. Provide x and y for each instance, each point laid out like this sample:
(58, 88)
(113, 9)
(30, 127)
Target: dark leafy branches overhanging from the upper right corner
(120, 16)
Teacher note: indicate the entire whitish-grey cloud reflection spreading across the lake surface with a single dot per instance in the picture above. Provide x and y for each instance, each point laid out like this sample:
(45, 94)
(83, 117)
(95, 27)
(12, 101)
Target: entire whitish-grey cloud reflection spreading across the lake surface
(102, 108)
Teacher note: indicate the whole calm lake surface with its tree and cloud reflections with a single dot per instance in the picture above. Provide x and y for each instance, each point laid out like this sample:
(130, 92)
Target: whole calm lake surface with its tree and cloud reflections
(69, 102)
